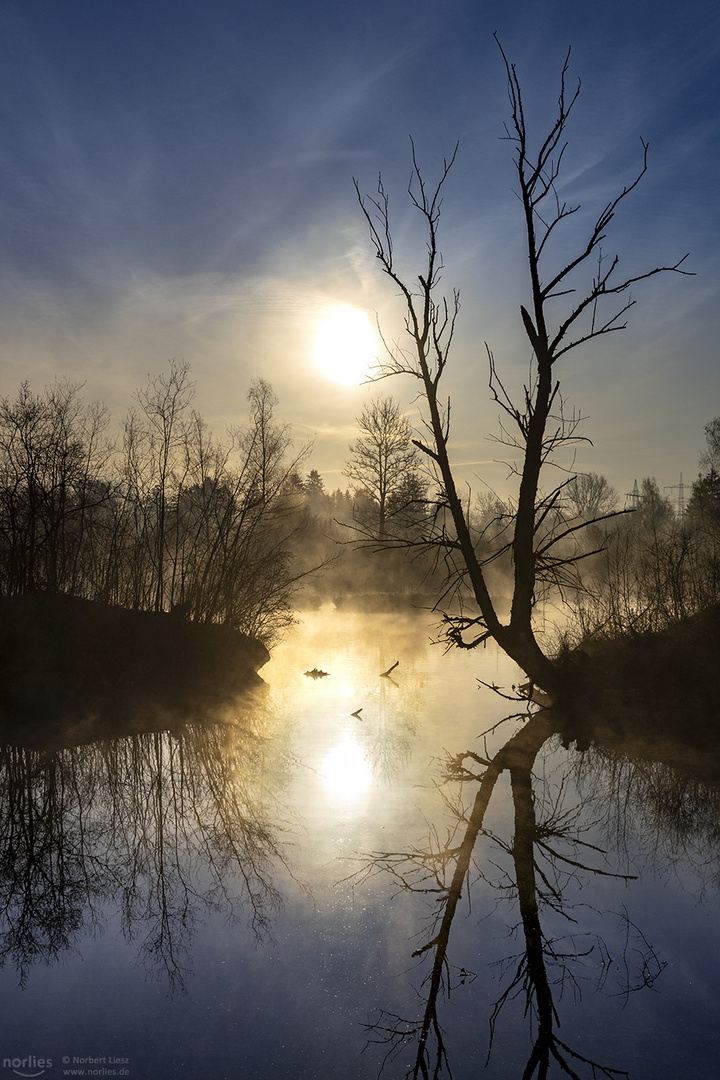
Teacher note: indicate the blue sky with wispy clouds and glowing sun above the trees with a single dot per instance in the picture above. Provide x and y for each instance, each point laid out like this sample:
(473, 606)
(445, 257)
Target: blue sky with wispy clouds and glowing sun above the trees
(176, 181)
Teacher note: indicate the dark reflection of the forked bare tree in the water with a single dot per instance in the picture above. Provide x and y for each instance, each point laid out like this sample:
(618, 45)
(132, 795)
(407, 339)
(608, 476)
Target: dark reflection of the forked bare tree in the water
(548, 853)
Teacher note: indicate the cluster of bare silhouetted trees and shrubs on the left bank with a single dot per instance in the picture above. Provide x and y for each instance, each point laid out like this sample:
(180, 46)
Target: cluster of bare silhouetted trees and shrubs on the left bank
(168, 518)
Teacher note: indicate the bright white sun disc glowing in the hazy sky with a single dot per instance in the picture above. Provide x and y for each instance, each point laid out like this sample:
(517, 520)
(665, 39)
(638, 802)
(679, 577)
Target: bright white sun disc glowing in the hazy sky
(346, 346)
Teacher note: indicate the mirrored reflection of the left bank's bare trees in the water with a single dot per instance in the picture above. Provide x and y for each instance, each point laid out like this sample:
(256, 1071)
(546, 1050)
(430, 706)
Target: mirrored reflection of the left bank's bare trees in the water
(157, 827)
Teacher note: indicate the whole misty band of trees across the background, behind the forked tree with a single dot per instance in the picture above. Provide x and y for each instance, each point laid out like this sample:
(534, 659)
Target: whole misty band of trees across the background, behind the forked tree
(170, 518)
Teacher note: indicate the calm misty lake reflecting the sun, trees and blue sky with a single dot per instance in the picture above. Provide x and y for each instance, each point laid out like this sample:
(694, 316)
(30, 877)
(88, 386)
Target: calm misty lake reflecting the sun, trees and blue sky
(271, 895)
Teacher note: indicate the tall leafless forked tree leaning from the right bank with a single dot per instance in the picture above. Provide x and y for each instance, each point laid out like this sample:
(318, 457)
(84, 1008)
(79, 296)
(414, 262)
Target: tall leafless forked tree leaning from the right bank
(564, 313)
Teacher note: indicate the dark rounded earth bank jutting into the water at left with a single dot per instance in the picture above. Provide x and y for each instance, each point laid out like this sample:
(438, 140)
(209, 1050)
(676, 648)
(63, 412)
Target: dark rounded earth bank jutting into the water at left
(69, 663)
